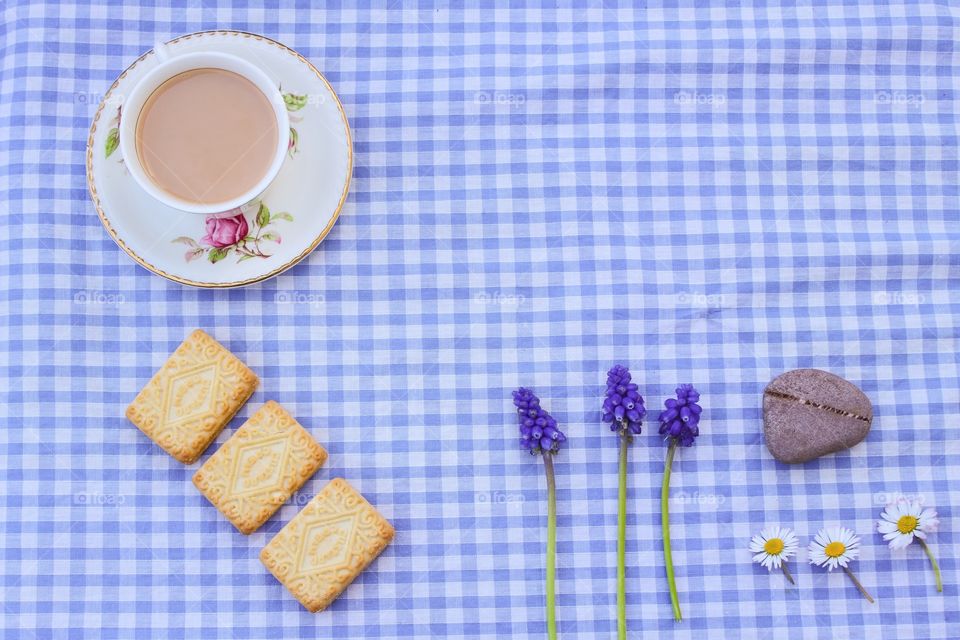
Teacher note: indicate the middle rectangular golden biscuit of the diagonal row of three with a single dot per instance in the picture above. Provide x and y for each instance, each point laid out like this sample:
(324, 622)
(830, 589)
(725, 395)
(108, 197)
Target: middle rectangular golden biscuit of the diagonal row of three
(259, 467)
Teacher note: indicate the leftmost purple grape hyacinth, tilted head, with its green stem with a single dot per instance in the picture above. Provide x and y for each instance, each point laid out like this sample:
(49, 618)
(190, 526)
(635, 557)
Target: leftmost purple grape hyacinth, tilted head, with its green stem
(539, 434)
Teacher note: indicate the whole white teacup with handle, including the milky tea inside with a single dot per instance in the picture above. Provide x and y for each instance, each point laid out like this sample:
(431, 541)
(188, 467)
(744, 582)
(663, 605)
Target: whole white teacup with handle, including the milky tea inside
(204, 132)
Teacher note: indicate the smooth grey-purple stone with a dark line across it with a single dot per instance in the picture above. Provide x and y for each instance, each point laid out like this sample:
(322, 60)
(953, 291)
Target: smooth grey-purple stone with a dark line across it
(808, 413)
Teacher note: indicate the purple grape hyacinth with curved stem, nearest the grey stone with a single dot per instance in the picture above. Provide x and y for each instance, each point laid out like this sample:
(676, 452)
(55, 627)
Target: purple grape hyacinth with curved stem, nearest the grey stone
(679, 423)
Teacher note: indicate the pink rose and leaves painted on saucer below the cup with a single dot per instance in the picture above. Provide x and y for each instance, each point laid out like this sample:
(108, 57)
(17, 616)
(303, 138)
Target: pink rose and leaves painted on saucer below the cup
(233, 234)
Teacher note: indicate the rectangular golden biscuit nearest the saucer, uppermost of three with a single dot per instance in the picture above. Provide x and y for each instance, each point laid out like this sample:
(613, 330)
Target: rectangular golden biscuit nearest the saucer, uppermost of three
(192, 397)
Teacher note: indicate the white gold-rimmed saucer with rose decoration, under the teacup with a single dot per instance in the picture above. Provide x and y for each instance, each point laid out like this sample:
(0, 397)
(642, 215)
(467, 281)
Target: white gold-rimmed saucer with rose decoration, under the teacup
(292, 217)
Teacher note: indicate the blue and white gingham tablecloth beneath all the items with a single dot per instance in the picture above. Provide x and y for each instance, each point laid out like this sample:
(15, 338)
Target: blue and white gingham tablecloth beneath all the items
(710, 195)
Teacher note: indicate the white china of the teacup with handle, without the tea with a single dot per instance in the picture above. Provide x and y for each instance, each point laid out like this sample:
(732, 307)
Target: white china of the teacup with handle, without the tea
(169, 67)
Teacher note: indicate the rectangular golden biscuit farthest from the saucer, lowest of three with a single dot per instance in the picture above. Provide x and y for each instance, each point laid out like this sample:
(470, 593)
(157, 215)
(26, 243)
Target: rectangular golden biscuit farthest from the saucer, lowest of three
(327, 545)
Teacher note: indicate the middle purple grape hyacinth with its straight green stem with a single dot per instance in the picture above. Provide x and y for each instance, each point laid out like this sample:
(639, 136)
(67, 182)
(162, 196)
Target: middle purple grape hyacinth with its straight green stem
(623, 409)
